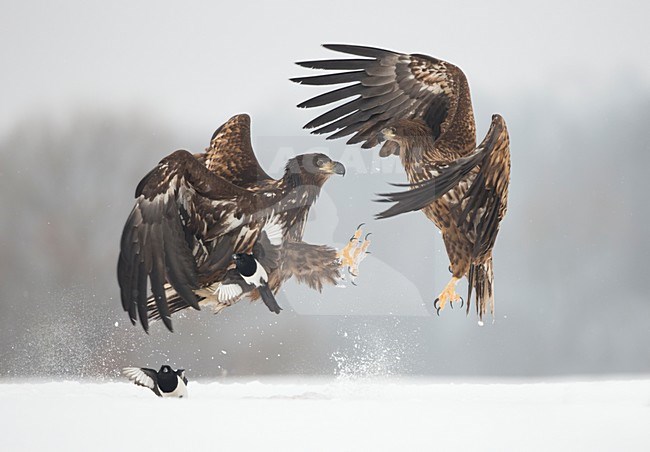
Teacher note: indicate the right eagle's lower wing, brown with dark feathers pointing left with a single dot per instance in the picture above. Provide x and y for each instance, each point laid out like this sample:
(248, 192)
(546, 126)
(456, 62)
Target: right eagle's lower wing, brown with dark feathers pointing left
(483, 205)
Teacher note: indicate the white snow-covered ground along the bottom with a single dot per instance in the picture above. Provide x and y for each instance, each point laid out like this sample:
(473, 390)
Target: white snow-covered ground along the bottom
(334, 415)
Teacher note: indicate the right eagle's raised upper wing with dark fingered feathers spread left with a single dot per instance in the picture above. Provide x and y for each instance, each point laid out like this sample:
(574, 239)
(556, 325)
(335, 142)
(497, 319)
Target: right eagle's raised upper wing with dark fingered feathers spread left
(388, 86)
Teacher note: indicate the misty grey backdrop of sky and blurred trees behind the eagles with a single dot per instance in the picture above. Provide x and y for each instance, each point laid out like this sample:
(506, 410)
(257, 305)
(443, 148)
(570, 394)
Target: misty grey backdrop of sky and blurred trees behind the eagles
(95, 94)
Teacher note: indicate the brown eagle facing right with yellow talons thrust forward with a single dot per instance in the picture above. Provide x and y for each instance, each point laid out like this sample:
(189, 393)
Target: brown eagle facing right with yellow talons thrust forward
(200, 221)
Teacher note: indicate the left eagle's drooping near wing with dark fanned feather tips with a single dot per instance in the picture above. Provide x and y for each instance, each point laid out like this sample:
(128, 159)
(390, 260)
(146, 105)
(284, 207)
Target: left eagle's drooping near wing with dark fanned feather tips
(181, 206)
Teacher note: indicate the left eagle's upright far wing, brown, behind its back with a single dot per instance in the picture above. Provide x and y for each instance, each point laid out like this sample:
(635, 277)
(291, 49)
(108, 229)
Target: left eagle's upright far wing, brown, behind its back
(230, 154)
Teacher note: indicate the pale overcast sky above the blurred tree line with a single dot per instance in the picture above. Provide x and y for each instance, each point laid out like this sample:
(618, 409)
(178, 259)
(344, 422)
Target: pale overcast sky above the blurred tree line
(198, 62)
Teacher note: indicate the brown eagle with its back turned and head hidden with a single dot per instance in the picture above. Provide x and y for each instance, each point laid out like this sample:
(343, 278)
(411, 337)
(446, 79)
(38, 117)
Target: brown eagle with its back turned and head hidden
(421, 108)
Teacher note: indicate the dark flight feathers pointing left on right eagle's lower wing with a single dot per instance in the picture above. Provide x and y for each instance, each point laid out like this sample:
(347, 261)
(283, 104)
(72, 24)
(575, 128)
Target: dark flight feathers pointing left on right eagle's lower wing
(424, 193)
